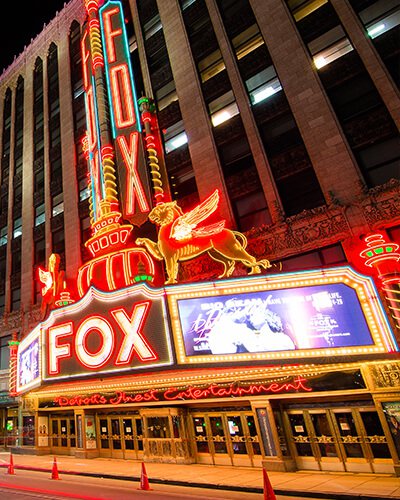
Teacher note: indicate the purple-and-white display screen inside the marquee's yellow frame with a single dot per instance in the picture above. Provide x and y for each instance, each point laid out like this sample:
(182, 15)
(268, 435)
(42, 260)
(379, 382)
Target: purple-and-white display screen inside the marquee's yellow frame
(312, 317)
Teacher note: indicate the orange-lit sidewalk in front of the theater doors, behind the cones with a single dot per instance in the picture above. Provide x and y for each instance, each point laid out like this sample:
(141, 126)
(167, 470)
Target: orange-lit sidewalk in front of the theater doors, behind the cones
(315, 484)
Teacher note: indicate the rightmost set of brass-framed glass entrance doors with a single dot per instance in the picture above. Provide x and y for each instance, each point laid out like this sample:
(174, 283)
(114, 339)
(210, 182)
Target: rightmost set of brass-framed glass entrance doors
(345, 439)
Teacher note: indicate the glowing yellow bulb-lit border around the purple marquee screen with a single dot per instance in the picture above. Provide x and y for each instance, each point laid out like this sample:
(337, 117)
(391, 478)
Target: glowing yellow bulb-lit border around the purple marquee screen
(366, 292)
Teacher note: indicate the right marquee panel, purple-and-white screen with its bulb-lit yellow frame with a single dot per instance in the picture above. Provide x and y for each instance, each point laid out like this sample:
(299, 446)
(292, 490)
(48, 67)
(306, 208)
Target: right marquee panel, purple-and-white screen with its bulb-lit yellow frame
(326, 313)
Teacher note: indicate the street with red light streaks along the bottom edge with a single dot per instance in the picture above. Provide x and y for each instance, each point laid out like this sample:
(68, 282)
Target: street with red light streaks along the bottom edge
(26, 485)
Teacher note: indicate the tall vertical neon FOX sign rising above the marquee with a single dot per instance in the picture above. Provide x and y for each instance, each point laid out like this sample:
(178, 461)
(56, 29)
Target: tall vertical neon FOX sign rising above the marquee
(113, 118)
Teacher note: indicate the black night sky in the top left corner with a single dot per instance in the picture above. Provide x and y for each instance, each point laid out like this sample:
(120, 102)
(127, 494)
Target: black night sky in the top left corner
(21, 21)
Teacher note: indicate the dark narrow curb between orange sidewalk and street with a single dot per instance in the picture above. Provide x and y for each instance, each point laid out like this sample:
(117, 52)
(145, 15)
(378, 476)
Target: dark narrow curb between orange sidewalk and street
(226, 487)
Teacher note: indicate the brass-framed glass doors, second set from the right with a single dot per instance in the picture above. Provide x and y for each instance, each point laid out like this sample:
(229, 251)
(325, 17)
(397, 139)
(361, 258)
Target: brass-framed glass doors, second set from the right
(229, 438)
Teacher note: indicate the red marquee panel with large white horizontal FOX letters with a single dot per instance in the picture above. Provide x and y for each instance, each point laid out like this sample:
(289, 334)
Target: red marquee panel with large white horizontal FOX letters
(106, 333)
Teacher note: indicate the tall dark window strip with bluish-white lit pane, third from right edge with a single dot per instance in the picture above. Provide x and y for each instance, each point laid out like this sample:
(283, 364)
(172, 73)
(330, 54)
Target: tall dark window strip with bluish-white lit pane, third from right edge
(287, 156)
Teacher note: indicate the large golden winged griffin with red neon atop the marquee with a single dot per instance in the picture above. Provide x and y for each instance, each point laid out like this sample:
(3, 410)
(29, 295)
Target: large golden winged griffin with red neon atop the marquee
(180, 239)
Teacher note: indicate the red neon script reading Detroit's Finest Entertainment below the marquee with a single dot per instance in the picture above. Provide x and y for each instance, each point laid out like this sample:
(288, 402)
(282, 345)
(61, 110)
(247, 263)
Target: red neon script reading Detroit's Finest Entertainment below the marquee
(298, 384)
